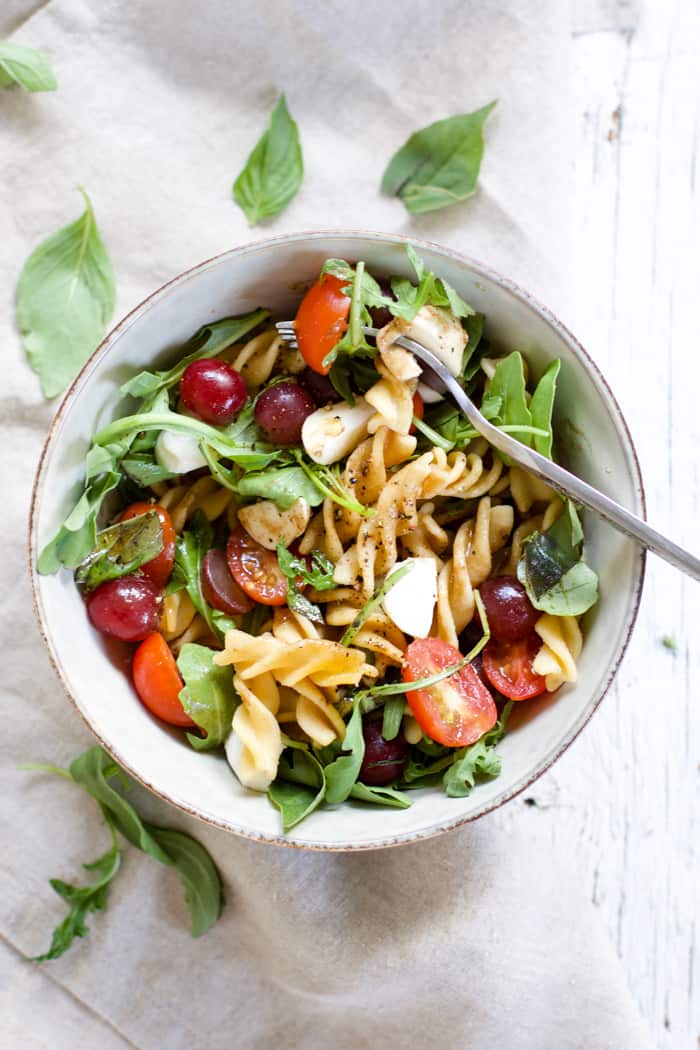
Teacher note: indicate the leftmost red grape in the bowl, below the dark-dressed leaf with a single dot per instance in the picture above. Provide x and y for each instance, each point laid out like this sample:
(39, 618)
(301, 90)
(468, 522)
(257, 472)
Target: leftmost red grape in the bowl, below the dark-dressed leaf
(128, 608)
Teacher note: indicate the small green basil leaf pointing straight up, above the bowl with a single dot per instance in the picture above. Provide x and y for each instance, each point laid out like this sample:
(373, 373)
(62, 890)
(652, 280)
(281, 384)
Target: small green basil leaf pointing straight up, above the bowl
(274, 171)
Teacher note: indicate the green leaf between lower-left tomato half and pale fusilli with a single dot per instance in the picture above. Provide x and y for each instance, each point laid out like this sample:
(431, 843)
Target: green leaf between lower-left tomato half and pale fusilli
(208, 696)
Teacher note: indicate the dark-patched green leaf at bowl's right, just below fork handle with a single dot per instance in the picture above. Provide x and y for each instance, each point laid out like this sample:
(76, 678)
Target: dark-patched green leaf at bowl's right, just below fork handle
(551, 570)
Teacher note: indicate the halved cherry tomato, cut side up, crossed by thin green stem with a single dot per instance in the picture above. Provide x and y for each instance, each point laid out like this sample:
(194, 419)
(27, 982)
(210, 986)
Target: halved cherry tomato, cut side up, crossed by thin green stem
(456, 711)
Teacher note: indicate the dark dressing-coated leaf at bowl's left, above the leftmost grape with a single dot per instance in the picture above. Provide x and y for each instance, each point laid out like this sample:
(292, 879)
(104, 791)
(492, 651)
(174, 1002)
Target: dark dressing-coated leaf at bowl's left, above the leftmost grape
(121, 550)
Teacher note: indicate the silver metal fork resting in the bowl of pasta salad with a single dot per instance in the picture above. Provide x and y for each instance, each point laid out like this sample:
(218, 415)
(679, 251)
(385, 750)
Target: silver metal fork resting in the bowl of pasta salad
(438, 377)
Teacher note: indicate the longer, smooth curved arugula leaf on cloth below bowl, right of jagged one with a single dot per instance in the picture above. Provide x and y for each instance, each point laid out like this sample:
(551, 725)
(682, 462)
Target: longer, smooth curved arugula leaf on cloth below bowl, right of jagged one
(203, 888)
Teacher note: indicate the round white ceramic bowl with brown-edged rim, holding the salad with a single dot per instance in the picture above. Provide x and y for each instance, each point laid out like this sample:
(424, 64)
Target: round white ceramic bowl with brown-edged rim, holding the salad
(593, 438)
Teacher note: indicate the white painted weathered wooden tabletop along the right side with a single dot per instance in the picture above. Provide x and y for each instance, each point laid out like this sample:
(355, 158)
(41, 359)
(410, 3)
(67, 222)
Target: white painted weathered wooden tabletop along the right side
(631, 821)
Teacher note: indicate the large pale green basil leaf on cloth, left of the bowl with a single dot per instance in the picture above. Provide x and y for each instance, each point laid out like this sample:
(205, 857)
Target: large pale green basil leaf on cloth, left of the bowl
(66, 298)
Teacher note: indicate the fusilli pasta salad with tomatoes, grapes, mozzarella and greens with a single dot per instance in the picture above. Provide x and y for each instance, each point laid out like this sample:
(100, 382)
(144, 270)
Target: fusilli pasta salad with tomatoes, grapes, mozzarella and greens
(323, 568)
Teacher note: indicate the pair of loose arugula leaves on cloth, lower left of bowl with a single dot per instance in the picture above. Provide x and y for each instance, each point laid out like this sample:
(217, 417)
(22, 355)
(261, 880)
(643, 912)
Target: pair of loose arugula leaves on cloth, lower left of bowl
(94, 771)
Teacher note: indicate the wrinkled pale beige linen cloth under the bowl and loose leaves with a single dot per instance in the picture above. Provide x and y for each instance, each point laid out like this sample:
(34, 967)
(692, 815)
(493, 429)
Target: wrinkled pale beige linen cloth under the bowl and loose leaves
(474, 939)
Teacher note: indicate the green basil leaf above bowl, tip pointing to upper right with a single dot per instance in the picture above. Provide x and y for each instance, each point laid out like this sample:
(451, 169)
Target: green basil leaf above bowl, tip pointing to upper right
(439, 165)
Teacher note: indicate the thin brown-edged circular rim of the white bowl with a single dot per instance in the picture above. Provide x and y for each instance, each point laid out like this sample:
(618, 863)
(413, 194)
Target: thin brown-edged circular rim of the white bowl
(529, 302)
